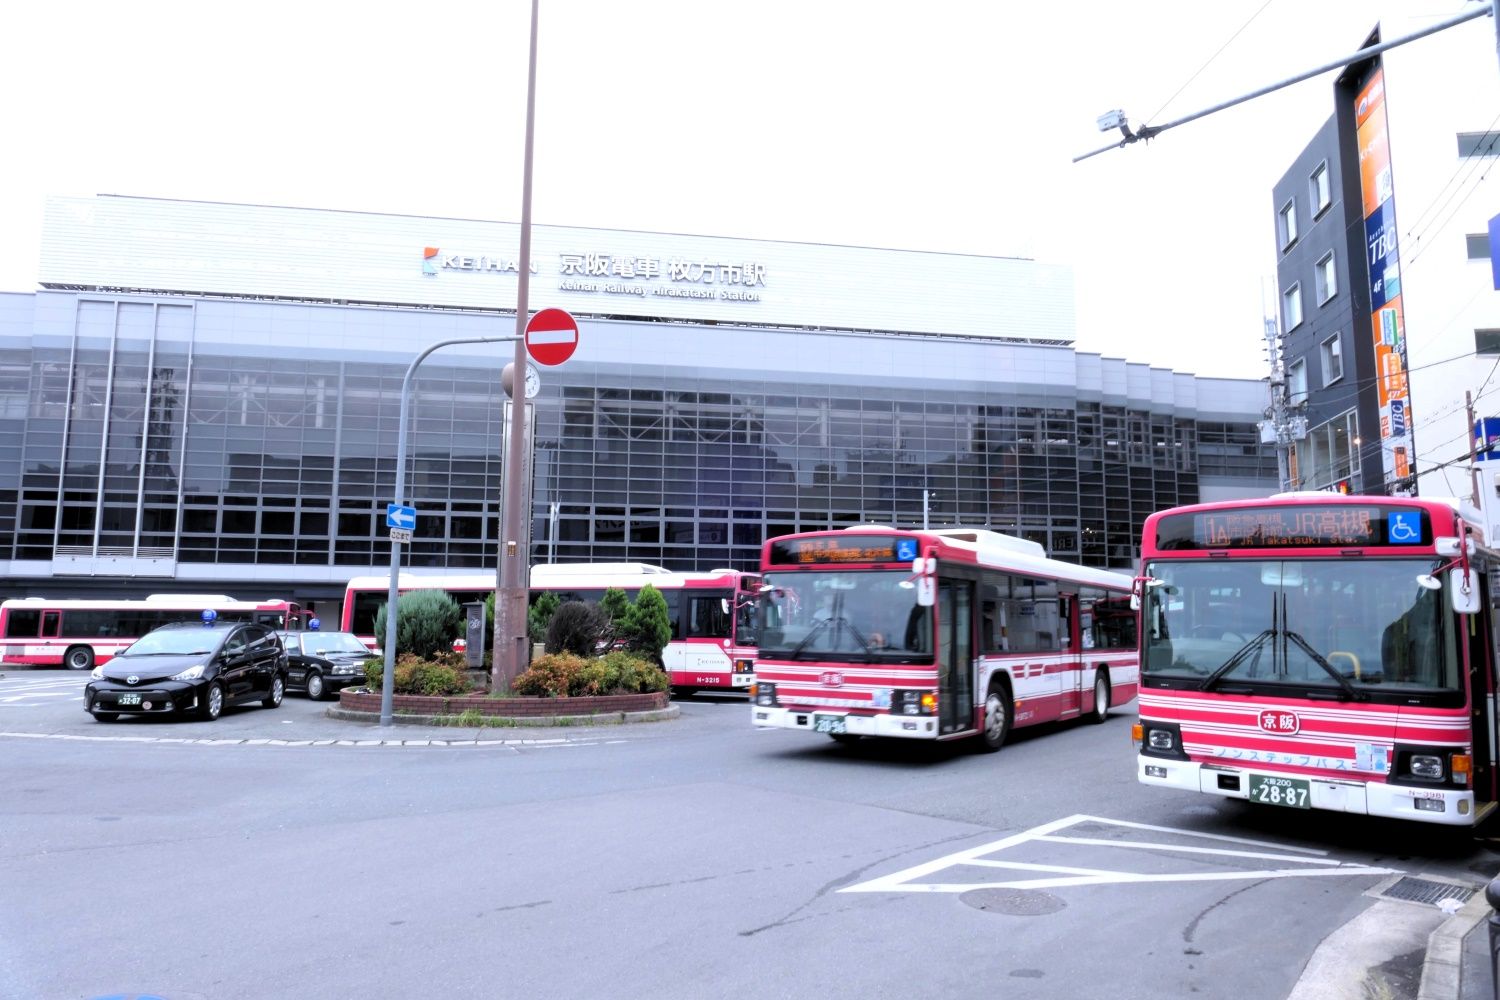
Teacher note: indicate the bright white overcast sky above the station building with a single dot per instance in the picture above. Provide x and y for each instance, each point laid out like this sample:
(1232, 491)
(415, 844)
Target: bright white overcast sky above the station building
(947, 127)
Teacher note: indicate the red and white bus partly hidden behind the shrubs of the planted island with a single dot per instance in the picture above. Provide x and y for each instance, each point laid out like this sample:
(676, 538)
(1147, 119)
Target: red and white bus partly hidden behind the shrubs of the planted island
(713, 614)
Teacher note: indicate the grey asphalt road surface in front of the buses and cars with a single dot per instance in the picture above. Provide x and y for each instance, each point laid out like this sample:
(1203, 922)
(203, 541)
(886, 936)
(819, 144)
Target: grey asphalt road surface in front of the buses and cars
(281, 854)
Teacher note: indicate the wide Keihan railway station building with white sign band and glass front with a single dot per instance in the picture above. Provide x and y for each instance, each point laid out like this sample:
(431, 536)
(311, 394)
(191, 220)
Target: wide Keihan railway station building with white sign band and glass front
(205, 398)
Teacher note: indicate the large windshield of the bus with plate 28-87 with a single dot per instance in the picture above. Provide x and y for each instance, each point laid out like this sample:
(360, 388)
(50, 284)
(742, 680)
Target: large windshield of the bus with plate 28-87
(1348, 629)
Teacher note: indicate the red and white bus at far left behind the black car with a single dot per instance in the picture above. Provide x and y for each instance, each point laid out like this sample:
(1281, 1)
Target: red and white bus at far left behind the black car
(79, 635)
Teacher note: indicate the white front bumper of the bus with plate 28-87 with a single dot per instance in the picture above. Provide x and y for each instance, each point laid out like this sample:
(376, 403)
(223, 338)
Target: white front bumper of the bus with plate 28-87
(1370, 798)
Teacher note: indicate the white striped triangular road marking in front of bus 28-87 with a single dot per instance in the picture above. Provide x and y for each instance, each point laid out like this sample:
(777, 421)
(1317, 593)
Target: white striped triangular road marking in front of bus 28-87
(1298, 863)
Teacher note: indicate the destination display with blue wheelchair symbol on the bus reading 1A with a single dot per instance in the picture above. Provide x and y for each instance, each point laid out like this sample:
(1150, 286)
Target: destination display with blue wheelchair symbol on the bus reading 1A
(1346, 525)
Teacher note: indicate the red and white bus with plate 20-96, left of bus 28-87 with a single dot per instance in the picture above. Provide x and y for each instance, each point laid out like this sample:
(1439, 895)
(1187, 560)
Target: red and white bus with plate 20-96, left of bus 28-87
(937, 635)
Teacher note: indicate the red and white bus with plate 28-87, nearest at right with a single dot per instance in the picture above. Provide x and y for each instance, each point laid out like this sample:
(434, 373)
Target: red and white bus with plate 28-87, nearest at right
(1321, 651)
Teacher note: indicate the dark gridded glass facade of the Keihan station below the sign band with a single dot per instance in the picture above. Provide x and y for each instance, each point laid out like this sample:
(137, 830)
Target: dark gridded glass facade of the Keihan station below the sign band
(140, 437)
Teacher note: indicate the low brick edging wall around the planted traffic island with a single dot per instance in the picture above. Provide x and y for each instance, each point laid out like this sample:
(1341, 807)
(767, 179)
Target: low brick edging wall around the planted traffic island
(359, 705)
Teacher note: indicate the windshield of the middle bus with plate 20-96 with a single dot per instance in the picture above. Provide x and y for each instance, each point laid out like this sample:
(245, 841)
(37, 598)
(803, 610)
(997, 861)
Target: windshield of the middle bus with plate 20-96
(844, 615)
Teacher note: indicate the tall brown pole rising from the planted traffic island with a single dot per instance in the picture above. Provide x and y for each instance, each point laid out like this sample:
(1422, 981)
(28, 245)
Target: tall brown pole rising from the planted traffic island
(511, 597)
